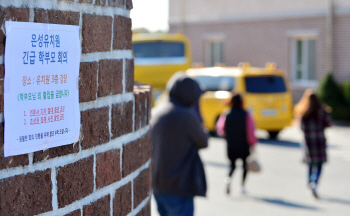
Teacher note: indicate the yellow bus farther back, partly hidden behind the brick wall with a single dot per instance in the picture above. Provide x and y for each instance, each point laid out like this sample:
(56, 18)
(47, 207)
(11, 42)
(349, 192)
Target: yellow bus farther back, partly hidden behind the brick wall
(158, 56)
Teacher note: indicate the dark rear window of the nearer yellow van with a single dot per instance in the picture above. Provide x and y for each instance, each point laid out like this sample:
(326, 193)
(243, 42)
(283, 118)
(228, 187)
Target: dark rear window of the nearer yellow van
(265, 84)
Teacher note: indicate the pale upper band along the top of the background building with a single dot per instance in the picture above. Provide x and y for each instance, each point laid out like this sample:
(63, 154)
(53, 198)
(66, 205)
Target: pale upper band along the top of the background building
(221, 10)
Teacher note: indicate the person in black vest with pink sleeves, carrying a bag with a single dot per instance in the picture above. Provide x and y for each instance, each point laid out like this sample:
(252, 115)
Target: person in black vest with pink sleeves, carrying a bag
(238, 128)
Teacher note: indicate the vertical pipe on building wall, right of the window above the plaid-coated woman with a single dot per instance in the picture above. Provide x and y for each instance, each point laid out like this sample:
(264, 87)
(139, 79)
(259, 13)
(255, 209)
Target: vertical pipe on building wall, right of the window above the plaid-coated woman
(329, 23)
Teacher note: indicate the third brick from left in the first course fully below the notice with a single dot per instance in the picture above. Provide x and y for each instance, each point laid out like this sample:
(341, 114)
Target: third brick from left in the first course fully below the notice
(107, 168)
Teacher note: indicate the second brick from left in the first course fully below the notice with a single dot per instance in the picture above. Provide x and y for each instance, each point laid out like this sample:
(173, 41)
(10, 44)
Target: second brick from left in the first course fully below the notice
(75, 181)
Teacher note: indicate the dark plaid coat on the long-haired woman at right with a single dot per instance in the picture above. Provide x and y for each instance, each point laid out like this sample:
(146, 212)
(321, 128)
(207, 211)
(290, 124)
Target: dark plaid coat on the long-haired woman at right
(315, 140)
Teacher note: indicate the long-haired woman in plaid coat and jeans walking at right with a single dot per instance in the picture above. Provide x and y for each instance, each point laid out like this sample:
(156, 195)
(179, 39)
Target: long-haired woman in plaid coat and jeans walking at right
(314, 119)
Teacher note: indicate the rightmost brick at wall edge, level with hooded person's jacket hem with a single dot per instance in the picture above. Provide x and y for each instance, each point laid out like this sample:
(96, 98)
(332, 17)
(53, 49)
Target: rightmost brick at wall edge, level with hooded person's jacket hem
(142, 186)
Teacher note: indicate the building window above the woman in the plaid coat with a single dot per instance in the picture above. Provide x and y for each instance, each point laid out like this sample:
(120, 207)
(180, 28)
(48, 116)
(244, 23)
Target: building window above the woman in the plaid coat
(305, 64)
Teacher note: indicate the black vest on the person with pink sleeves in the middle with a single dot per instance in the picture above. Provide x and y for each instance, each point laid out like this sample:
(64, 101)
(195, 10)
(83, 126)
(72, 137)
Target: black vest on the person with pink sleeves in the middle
(236, 134)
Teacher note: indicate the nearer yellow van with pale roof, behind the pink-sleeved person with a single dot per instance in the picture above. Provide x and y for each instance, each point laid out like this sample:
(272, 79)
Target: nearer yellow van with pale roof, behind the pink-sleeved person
(266, 94)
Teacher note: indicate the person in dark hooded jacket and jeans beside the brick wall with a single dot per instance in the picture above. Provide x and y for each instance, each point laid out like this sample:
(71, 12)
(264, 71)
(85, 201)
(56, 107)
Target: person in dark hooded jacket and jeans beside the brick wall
(177, 135)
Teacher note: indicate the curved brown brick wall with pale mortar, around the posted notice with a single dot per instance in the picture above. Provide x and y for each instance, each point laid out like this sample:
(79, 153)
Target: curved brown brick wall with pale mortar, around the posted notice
(107, 172)
